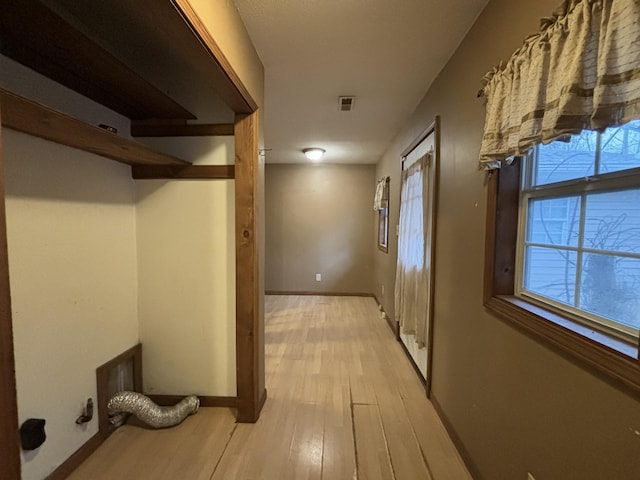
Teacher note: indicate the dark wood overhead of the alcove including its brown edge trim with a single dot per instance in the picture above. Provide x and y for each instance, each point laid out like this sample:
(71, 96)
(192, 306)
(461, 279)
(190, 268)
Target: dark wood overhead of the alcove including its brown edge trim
(76, 44)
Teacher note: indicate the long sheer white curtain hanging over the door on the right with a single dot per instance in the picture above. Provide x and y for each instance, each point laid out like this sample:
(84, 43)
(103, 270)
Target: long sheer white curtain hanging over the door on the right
(411, 289)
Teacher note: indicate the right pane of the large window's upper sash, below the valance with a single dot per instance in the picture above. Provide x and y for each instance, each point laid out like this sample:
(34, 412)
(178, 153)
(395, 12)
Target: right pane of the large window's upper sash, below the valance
(620, 148)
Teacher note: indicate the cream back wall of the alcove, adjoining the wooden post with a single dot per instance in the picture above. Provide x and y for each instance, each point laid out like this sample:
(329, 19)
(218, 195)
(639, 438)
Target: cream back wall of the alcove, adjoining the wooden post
(186, 253)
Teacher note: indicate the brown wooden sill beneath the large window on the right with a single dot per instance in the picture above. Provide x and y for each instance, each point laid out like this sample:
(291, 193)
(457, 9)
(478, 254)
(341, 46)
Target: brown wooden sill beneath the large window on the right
(602, 352)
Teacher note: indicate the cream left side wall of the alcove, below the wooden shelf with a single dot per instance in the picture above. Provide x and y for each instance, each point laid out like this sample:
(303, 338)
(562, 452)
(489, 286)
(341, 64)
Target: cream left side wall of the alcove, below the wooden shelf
(72, 258)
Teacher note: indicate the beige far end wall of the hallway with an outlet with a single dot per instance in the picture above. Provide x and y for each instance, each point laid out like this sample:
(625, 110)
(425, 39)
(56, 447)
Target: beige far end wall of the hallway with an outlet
(320, 219)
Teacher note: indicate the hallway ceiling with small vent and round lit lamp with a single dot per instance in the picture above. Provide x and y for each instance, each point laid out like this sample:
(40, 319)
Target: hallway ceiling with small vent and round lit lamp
(384, 52)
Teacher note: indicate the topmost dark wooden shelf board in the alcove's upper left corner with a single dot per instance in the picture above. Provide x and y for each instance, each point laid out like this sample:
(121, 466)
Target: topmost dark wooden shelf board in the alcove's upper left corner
(38, 38)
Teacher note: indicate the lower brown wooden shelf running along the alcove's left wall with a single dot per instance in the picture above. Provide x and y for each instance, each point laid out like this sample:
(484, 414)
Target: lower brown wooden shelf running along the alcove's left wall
(24, 115)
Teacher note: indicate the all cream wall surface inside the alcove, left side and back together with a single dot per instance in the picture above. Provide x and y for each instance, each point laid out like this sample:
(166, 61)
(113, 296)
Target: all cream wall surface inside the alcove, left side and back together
(81, 295)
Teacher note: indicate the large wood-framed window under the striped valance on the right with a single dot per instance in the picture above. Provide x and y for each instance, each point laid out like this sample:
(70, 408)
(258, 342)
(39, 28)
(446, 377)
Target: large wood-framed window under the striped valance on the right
(563, 246)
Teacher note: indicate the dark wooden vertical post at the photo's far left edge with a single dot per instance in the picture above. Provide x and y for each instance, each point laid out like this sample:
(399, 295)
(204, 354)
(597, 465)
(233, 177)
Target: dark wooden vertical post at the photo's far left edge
(9, 446)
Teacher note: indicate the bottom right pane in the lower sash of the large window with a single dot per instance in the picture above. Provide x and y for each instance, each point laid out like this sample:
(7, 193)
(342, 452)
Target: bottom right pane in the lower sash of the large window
(611, 288)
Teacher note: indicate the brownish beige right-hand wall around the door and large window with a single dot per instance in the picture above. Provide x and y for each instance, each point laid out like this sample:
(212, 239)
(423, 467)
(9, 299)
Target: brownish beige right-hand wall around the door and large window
(516, 404)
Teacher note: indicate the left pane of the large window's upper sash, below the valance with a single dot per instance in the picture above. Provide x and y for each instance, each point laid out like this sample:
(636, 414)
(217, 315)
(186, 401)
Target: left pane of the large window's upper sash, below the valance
(560, 161)
